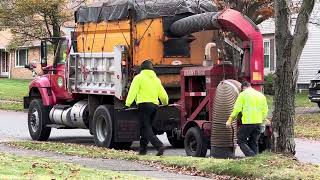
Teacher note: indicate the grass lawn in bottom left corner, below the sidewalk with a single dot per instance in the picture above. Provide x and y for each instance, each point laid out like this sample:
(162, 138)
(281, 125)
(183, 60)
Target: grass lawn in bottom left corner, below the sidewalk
(18, 167)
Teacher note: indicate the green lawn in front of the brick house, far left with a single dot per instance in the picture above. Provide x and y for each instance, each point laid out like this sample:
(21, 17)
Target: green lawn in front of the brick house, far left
(13, 89)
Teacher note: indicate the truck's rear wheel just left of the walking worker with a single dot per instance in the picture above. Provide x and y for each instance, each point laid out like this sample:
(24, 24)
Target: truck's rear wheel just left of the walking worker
(102, 127)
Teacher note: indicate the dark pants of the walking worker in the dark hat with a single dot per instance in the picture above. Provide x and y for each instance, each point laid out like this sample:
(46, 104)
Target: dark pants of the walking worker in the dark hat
(147, 113)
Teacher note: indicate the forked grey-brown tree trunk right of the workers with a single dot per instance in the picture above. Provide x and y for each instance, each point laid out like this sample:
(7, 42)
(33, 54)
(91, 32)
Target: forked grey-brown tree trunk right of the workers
(288, 54)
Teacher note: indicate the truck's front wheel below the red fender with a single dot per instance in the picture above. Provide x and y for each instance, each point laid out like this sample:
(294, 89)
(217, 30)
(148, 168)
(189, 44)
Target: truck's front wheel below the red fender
(38, 118)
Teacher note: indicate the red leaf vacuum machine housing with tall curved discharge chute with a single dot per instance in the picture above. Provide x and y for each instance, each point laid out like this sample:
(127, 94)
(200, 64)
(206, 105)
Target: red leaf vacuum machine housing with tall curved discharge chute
(198, 84)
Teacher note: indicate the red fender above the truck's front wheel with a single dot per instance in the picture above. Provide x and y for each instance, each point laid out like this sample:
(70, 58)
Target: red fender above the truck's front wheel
(42, 84)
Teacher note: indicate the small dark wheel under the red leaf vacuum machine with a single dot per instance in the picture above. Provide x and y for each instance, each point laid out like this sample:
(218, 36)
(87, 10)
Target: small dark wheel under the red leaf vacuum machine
(195, 143)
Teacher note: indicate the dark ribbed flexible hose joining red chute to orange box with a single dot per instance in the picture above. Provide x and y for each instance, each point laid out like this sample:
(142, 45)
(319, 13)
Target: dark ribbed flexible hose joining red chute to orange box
(195, 23)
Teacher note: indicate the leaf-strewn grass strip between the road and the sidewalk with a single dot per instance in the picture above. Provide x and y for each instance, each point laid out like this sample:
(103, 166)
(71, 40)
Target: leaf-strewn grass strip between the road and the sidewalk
(263, 166)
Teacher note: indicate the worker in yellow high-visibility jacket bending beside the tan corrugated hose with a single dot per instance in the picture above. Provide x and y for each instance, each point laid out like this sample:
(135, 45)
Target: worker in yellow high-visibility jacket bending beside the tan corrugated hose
(253, 106)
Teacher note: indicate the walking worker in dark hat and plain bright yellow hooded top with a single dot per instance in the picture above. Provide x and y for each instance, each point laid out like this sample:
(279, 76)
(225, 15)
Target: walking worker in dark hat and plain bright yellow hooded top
(146, 89)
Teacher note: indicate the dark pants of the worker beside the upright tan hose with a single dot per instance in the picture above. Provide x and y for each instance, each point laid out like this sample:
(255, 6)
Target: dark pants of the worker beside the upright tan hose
(248, 136)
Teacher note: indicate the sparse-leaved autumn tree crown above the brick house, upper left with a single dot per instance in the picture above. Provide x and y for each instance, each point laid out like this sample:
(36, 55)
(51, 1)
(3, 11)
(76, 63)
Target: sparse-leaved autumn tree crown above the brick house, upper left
(30, 20)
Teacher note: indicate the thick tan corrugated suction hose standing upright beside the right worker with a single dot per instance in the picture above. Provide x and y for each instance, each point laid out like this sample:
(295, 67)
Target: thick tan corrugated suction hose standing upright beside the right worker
(222, 138)
